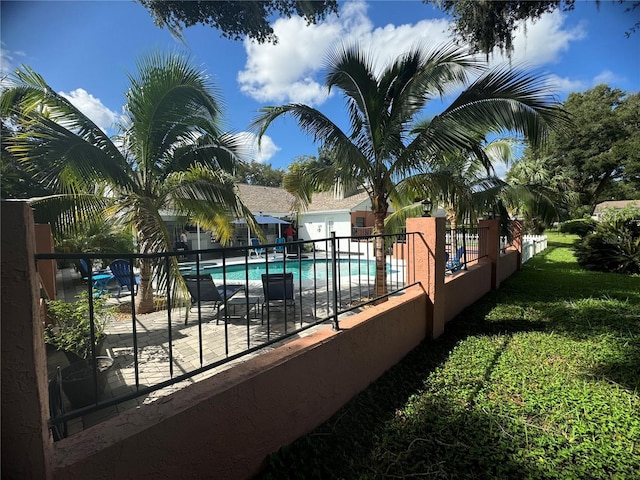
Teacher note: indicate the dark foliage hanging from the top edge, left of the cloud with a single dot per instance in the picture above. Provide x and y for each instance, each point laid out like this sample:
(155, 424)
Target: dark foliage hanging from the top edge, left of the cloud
(233, 18)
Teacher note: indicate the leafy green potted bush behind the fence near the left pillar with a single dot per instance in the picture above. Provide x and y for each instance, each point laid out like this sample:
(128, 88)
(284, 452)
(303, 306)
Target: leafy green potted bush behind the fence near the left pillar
(71, 327)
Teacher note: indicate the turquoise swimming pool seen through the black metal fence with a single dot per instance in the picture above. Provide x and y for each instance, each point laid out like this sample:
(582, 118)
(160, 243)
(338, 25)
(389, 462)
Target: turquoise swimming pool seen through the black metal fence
(309, 269)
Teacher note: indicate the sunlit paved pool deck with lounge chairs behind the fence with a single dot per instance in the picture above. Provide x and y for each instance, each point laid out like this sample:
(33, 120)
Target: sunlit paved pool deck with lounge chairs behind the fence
(167, 347)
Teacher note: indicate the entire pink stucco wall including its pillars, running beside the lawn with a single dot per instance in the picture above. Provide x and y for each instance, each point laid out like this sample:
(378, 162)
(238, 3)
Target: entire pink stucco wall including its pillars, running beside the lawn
(225, 426)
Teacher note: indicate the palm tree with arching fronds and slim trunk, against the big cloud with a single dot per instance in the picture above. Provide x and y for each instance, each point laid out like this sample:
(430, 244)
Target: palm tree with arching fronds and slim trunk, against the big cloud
(380, 149)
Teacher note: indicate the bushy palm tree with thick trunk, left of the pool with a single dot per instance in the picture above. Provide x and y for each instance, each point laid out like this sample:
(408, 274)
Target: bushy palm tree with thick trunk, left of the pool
(170, 155)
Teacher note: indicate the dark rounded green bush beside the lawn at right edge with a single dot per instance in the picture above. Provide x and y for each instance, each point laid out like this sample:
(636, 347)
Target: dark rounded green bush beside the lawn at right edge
(615, 245)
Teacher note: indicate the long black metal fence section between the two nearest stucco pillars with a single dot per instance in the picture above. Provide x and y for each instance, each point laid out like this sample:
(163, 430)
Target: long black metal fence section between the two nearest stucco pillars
(168, 348)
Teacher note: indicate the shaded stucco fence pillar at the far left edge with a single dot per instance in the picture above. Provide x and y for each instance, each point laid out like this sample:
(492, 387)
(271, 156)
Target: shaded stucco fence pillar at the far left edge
(26, 441)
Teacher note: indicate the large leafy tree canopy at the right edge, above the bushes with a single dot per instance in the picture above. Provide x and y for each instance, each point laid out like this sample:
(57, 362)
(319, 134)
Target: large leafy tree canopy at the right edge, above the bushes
(599, 156)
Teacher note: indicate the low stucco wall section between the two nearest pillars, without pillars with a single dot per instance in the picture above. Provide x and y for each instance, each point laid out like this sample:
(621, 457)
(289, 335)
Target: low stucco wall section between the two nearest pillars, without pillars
(224, 427)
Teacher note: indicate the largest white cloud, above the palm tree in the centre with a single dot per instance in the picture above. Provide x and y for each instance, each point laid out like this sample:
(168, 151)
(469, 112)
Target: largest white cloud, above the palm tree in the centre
(290, 70)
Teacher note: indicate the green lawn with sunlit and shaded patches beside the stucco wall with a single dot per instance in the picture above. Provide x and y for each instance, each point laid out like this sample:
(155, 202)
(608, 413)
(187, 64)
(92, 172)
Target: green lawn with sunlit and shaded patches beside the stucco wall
(540, 379)
